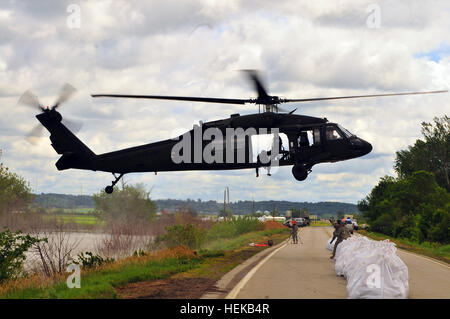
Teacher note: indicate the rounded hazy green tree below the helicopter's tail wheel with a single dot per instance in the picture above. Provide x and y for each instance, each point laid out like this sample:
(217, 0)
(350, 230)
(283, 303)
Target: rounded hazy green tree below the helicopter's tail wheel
(131, 202)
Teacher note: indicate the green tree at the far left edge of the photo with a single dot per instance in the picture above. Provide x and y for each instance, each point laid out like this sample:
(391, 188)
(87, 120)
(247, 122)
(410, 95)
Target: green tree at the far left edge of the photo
(15, 192)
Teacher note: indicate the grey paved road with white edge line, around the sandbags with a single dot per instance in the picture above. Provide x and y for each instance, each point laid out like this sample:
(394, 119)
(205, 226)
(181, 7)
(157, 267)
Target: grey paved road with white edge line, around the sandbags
(305, 271)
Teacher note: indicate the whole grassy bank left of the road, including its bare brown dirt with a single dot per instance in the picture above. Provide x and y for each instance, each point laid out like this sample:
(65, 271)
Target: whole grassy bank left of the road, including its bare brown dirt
(167, 271)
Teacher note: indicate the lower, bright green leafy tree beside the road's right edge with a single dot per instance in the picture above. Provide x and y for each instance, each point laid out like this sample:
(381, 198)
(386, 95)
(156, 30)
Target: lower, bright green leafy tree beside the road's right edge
(415, 207)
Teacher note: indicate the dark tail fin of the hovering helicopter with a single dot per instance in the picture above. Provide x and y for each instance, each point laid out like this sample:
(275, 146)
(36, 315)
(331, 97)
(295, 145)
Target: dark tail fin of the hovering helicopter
(75, 154)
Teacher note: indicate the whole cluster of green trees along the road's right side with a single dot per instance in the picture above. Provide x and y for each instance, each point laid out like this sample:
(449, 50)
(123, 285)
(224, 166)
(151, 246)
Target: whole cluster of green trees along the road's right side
(415, 204)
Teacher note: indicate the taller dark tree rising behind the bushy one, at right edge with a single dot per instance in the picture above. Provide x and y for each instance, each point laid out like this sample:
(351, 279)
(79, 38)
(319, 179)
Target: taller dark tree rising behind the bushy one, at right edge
(431, 155)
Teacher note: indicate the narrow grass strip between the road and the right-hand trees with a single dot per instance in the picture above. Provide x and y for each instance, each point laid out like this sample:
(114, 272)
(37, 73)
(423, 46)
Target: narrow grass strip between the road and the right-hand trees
(434, 250)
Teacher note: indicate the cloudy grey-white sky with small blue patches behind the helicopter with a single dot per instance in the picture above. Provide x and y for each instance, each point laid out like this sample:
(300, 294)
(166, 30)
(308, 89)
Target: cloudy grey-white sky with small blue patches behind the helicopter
(196, 47)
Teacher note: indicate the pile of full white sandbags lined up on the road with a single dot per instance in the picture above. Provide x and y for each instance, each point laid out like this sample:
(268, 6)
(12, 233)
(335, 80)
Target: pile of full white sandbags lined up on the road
(372, 269)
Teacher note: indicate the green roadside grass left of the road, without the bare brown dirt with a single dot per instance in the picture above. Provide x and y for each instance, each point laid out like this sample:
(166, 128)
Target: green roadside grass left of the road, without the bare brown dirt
(214, 260)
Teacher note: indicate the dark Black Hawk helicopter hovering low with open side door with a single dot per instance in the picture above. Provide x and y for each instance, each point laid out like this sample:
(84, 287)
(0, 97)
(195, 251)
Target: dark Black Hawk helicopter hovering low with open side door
(312, 140)
